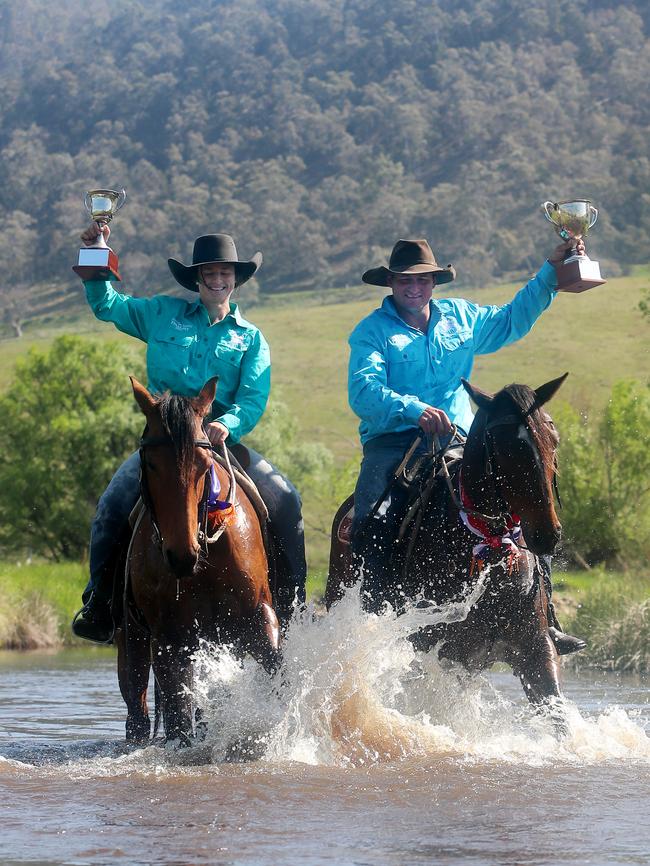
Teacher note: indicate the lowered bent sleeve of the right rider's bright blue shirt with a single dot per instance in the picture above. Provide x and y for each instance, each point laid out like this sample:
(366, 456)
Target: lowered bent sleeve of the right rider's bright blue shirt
(369, 394)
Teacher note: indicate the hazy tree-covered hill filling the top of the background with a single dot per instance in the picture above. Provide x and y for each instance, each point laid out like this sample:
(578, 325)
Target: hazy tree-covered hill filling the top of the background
(320, 131)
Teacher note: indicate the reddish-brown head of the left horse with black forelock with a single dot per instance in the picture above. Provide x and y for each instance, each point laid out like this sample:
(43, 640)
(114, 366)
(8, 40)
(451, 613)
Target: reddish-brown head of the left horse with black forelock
(175, 459)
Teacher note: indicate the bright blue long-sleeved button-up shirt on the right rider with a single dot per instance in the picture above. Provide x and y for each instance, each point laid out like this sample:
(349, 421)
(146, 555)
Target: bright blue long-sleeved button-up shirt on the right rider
(396, 371)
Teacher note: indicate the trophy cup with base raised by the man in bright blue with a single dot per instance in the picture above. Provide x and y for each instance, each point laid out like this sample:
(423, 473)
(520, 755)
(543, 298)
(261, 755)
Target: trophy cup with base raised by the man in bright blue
(572, 220)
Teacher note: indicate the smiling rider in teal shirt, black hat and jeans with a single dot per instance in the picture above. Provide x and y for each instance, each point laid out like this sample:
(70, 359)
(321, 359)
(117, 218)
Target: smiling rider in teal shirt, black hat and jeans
(189, 342)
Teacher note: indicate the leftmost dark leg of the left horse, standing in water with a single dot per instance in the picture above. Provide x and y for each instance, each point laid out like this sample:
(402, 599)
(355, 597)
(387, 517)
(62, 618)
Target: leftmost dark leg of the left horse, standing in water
(133, 666)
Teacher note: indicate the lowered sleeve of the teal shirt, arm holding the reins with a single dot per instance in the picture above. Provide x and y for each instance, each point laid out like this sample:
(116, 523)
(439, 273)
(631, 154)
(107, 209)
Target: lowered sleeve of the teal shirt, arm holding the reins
(252, 393)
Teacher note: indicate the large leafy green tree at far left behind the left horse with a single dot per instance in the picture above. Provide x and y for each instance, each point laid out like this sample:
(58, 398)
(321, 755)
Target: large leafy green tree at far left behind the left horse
(68, 420)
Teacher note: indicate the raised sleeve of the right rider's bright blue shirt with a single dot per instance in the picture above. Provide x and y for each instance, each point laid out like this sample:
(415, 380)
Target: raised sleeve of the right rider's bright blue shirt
(496, 326)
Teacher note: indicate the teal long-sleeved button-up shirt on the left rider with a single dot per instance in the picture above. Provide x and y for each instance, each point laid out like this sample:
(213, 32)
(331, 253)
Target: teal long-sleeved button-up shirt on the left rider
(184, 350)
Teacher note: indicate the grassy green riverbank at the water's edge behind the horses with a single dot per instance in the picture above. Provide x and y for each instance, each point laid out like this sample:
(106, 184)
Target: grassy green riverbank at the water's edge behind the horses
(610, 610)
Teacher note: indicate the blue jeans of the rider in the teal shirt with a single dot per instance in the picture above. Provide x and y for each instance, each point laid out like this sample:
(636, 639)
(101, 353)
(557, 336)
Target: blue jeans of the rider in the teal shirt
(280, 496)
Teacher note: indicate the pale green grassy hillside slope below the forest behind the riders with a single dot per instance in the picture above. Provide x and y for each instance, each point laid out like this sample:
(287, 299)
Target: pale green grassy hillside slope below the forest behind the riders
(598, 336)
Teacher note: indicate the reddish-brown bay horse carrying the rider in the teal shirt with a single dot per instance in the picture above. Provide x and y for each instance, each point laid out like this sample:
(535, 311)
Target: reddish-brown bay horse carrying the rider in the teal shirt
(178, 588)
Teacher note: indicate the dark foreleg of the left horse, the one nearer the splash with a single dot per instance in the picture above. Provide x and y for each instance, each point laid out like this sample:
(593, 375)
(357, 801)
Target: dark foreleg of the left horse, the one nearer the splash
(173, 669)
